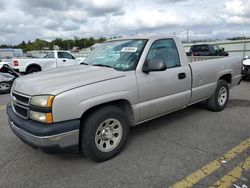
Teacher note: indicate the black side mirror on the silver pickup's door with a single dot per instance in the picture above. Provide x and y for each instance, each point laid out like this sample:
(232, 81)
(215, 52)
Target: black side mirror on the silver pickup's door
(154, 65)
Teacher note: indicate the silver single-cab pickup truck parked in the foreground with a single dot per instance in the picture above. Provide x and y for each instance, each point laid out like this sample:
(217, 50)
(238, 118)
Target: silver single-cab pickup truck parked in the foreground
(125, 82)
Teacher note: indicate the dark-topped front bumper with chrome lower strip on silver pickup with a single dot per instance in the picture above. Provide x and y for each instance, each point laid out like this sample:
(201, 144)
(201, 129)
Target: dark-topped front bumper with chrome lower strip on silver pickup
(52, 138)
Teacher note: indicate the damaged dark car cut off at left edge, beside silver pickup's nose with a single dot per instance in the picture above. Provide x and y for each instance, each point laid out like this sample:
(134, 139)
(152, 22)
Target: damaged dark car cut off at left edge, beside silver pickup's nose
(7, 76)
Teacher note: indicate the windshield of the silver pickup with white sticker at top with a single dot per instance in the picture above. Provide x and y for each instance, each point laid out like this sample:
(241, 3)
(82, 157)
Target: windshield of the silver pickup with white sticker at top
(121, 55)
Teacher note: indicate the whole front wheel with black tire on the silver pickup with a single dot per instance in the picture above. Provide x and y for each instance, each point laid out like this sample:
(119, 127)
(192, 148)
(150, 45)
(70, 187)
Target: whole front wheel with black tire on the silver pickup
(104, 133)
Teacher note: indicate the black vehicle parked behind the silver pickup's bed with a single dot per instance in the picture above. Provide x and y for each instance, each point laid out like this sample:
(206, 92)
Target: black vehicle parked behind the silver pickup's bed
(207, 50)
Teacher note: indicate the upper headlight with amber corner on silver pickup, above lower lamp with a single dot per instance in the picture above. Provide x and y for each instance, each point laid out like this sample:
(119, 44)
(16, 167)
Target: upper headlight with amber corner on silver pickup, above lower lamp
(42, 101)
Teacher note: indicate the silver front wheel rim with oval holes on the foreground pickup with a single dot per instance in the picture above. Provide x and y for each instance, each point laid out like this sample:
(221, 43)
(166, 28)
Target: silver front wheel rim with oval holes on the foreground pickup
(108, 135)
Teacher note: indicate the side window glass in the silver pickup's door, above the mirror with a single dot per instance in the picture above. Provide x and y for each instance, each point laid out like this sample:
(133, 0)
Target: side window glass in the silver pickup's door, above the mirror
(164, 50)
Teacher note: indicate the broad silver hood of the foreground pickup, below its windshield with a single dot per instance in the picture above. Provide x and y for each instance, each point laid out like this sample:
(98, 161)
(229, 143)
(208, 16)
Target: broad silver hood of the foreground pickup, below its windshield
(62, 79)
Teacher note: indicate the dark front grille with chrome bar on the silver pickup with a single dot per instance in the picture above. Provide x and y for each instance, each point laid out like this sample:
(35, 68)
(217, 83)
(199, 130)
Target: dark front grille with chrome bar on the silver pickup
(20, 104)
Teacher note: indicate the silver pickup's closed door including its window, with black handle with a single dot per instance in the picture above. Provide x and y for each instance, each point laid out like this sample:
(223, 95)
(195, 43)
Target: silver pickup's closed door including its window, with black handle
(163, 91)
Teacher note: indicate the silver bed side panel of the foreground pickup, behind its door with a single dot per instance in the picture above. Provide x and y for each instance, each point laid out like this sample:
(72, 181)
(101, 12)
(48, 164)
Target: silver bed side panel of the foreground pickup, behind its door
(205, 75)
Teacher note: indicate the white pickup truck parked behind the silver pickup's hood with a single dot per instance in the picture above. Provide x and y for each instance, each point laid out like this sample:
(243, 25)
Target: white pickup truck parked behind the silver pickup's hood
(52, 59)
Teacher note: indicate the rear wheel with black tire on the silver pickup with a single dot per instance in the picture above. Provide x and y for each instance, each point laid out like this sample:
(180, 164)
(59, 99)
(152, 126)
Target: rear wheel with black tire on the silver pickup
(220, 97)
